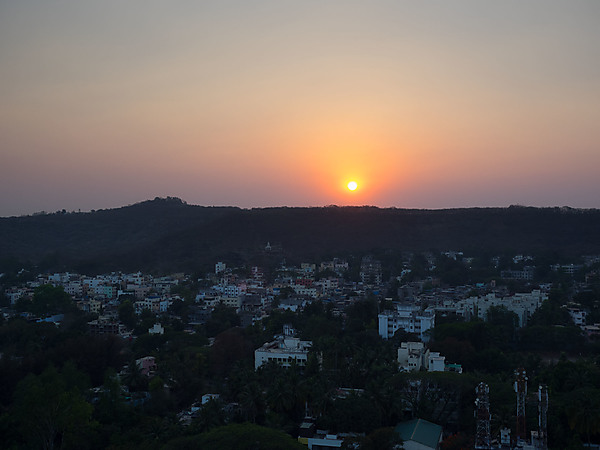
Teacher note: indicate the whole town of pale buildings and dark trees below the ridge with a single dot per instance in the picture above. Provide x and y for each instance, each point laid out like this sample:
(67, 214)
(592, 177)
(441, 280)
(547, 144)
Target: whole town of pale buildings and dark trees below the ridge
(375, 351)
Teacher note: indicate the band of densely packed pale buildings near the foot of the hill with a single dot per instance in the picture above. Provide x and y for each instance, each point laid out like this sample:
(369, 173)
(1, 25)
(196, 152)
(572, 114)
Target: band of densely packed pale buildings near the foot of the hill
(253, 294)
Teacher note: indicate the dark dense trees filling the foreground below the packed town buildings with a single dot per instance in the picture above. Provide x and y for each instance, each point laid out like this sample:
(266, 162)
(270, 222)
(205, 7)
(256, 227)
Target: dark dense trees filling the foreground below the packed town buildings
(47, 374)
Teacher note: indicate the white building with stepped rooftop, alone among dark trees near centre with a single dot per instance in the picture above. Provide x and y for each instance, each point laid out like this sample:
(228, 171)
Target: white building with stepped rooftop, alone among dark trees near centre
(283, 350)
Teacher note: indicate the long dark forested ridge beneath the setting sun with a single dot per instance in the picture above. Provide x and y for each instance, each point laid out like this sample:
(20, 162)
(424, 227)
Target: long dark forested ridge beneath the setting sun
(167, 234)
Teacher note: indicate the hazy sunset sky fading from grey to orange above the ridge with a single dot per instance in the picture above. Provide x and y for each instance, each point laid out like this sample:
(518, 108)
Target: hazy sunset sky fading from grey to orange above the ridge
(426, 104)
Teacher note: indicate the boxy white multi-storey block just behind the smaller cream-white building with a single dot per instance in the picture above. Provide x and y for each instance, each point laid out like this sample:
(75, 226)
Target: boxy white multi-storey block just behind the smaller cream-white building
(408, 318)
